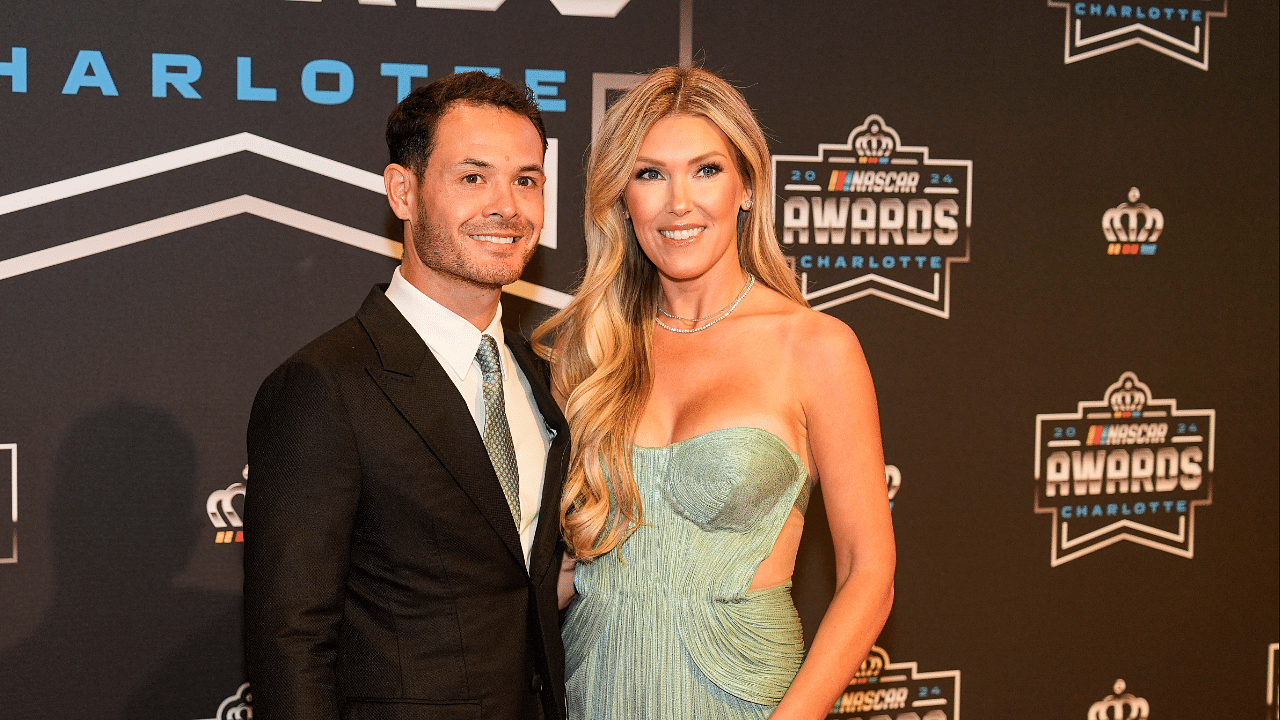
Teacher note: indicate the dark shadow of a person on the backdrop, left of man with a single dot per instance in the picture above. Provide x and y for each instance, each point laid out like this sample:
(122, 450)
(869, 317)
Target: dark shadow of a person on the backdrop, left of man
(121, 530)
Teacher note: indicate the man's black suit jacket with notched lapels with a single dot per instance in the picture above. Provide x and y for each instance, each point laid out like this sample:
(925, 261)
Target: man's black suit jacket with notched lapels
(383, 573)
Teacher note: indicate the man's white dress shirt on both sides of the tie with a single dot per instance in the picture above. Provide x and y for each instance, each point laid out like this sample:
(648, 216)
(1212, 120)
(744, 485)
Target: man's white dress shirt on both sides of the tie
(455, 343)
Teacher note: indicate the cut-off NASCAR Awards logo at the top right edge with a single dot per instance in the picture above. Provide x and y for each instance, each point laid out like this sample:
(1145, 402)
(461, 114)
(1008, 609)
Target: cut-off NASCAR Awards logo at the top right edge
(1180, 31)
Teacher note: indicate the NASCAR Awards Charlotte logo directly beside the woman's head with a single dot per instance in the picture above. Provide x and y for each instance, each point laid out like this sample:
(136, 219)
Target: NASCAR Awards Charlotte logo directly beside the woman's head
(872, 217)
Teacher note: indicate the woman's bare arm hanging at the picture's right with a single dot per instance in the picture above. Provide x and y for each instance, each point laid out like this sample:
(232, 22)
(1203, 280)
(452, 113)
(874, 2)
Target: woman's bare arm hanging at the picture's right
(844, 441)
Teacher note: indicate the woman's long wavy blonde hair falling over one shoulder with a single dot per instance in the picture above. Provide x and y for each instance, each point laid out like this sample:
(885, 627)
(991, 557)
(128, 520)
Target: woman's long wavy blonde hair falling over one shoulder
(602, 344)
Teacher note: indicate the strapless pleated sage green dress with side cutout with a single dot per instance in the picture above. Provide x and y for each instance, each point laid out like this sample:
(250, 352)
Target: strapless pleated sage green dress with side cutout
(671, 632)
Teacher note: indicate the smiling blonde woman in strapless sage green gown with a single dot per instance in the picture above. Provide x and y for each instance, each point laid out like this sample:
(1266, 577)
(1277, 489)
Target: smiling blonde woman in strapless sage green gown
(706, 400)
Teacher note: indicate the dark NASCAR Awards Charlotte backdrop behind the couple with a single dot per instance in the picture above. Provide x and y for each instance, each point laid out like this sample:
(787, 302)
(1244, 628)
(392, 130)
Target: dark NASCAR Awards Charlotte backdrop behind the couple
(1053, 225)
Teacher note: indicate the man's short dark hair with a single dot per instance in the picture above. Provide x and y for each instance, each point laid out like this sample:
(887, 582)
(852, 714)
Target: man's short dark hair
(412, 126)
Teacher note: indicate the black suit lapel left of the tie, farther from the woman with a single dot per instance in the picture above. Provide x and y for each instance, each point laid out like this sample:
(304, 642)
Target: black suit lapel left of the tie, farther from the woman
(424, 394)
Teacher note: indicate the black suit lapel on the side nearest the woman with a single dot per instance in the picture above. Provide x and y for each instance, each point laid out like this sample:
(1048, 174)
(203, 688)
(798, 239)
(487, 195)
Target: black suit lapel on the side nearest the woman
(557, 459)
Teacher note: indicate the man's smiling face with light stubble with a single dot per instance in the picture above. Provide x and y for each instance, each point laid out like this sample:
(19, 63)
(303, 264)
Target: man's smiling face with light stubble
(481, 199)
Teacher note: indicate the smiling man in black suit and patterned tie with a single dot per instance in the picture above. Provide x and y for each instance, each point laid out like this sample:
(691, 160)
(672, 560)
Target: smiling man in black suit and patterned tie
(401, 521)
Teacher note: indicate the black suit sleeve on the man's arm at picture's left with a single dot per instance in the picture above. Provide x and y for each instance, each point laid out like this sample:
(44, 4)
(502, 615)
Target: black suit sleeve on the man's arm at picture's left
(300, 509)
